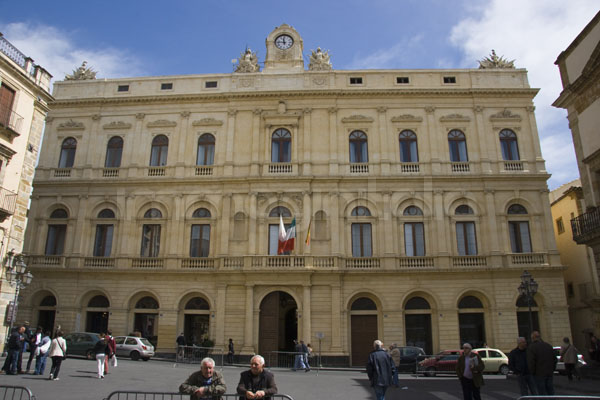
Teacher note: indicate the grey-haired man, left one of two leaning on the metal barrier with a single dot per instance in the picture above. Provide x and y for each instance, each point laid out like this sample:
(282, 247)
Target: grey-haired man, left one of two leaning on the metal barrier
(206, 383)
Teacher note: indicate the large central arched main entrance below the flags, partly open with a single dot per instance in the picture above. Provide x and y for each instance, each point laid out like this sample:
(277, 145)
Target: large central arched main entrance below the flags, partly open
(278, 324)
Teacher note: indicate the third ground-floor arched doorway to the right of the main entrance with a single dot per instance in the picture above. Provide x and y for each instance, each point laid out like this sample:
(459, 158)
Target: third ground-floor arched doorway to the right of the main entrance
(471, 321)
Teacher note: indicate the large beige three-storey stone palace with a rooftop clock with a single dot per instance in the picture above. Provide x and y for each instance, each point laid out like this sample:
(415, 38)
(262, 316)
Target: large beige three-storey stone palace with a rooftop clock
(157, 203)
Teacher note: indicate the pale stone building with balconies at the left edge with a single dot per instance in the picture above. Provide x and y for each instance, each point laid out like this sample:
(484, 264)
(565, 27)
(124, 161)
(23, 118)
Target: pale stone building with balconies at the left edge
(24, 98)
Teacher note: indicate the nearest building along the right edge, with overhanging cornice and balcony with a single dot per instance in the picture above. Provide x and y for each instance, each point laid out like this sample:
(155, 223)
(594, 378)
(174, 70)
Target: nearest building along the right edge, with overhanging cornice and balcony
(579, 67)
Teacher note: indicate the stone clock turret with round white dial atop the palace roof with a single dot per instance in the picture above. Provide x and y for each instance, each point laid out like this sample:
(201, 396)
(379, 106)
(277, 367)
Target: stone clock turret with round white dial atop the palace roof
(284, 50)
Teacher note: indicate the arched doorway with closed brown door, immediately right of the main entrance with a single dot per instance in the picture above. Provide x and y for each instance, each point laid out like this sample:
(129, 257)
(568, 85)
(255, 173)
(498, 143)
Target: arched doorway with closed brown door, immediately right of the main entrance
(363, 329)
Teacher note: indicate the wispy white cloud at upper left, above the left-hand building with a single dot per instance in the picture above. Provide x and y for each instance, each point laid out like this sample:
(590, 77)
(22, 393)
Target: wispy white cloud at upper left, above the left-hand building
(55, 51)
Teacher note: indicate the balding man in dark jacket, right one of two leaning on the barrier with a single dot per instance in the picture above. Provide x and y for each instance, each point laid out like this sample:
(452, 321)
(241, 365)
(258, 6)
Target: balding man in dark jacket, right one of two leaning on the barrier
(256, 383)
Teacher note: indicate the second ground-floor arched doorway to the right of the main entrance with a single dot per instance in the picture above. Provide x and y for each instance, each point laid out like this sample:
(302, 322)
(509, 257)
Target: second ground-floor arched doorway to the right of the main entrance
(417, 322)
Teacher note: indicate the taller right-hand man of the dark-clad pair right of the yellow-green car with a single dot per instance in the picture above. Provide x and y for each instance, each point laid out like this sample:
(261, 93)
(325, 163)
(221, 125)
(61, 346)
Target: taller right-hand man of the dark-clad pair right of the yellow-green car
(541, 362)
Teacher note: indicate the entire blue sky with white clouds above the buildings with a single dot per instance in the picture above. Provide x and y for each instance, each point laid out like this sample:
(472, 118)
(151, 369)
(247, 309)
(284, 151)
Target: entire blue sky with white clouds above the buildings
(150, 38)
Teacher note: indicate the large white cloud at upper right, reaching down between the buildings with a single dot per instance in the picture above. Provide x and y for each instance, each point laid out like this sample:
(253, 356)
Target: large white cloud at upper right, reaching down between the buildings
(534, 32)
